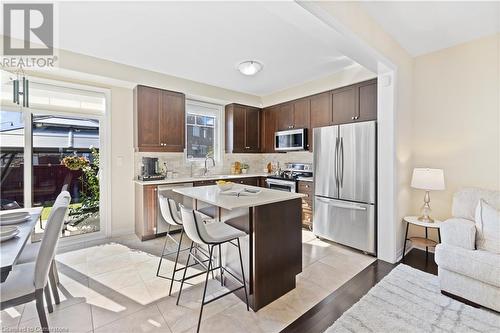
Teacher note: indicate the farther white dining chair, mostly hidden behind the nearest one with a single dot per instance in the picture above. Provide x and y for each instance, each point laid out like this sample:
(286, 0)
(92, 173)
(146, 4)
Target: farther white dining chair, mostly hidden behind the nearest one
(30, 253)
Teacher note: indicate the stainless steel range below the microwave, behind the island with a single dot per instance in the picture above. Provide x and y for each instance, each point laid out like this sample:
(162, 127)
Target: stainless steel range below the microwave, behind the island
(286, 180)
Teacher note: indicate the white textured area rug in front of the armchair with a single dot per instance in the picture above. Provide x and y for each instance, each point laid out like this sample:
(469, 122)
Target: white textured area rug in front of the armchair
(409, 300)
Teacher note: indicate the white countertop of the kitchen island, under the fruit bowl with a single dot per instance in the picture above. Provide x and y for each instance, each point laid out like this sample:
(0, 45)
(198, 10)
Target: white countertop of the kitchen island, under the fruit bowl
(211, 195)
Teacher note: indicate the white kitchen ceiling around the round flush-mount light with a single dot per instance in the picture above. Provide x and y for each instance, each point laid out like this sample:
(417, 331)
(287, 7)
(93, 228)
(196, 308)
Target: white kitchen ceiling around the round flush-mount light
(204, 41)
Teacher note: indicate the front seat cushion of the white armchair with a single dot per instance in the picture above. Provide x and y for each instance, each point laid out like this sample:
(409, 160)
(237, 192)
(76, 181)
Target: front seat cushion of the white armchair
(476, 264)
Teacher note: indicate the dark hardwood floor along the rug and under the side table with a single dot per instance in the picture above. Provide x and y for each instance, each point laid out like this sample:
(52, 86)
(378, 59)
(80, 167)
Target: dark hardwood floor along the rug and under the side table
(324, 314)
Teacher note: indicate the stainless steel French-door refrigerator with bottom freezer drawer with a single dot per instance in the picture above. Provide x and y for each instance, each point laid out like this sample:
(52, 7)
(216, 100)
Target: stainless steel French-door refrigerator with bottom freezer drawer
(345, 184)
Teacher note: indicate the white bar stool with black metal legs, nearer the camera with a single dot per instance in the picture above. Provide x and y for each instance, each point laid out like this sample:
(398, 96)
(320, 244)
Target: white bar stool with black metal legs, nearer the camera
(213, 235)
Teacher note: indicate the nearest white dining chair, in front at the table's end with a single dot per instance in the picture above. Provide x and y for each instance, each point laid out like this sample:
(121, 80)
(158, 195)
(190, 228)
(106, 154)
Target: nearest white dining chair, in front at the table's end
(27, 282)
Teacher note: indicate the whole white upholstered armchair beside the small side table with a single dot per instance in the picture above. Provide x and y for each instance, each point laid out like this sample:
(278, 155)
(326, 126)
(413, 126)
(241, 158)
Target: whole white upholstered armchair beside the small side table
(468, 268)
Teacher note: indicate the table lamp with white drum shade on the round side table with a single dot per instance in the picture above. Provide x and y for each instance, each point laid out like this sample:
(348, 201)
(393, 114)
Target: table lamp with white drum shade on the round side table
(428, 180)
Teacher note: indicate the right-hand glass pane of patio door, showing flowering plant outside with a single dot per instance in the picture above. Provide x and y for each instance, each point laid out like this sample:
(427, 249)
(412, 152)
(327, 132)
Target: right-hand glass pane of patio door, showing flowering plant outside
(65, 156)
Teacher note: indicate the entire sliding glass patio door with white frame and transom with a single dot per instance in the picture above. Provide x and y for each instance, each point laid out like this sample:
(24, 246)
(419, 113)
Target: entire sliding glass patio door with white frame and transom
(55, 145)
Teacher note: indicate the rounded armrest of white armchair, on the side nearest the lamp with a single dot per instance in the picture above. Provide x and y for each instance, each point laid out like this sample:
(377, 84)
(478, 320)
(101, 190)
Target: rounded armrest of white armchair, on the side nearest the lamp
(459, 232)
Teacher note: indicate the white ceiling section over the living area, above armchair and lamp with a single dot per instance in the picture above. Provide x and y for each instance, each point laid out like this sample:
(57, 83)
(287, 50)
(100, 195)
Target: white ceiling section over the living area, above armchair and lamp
(423, 27)
